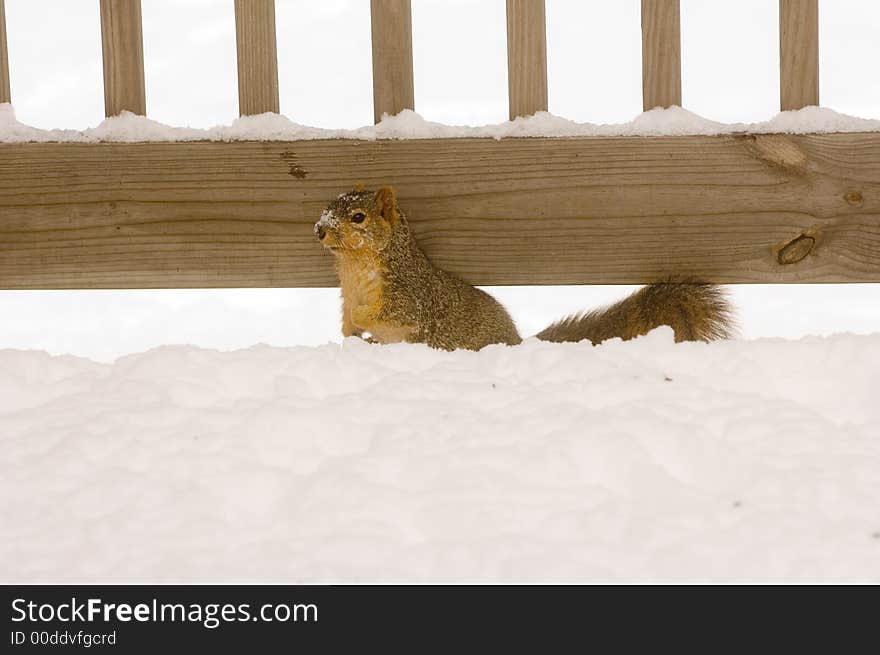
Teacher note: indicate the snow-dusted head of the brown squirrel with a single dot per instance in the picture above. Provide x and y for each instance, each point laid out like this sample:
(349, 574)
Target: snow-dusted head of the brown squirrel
(360, 222)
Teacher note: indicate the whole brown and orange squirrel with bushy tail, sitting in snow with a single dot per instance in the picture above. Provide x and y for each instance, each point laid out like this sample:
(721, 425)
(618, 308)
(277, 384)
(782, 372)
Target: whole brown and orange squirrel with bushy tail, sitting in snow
(392, 292)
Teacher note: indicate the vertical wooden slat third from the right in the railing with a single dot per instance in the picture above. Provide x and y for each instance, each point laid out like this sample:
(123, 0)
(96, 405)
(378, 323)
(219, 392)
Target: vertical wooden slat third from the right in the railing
(526, 57)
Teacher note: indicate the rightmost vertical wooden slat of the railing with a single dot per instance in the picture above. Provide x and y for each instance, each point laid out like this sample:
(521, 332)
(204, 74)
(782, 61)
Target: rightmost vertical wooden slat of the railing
(798, 53)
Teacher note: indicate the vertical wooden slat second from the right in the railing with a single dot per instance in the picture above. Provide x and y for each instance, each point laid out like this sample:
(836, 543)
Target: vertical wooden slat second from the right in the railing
(661, 54)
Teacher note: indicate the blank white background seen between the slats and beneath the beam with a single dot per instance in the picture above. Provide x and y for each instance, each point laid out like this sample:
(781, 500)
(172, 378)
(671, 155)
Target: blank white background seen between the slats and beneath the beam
(729, 73)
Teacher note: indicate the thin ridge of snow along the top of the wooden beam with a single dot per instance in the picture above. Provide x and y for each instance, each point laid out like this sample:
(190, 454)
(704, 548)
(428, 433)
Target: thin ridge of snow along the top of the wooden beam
(674, 121)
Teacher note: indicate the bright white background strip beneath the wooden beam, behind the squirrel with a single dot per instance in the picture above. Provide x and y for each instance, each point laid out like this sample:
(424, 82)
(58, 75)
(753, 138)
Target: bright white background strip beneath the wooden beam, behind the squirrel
(103, 324)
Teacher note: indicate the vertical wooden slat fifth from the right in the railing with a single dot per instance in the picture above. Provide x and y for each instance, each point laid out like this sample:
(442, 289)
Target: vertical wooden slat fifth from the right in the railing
(257, 56)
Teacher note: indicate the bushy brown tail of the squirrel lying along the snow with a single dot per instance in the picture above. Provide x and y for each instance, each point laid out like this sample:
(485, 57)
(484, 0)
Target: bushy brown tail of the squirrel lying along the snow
(695, 310)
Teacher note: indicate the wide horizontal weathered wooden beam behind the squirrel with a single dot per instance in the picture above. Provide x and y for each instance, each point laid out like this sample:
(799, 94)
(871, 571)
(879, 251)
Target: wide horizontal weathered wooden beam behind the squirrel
(765, 208)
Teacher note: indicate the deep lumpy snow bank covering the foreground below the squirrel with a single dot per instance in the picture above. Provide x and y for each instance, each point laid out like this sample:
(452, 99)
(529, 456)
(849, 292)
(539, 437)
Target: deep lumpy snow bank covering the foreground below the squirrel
(638, 461)
